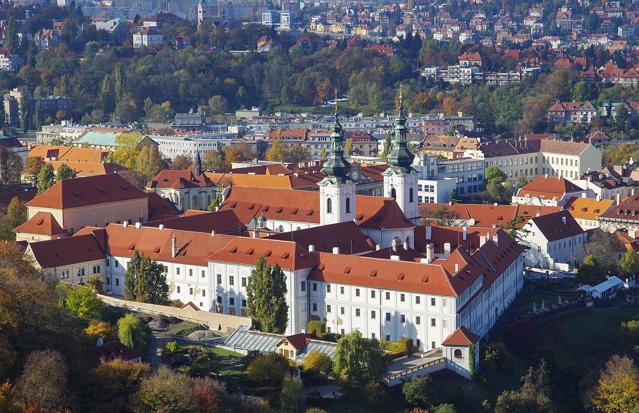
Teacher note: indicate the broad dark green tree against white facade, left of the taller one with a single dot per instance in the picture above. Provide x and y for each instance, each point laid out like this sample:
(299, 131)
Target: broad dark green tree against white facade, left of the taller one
(145, 281)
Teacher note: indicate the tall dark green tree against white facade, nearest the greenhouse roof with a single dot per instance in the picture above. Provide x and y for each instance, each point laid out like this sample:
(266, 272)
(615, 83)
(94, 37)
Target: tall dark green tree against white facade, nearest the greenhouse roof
(266, 297)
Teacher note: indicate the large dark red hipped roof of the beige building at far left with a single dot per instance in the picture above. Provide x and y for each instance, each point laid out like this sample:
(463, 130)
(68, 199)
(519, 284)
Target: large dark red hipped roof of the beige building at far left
(90, 190)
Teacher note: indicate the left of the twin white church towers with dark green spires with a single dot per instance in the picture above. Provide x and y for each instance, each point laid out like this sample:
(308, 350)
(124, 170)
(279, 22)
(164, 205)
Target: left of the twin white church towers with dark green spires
(337, 190)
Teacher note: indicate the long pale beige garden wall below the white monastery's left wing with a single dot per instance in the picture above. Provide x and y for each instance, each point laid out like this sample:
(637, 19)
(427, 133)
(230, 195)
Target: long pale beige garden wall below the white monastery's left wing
(214, 321)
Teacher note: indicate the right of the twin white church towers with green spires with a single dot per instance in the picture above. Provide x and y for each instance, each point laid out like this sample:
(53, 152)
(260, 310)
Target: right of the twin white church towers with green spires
(400, 179)
